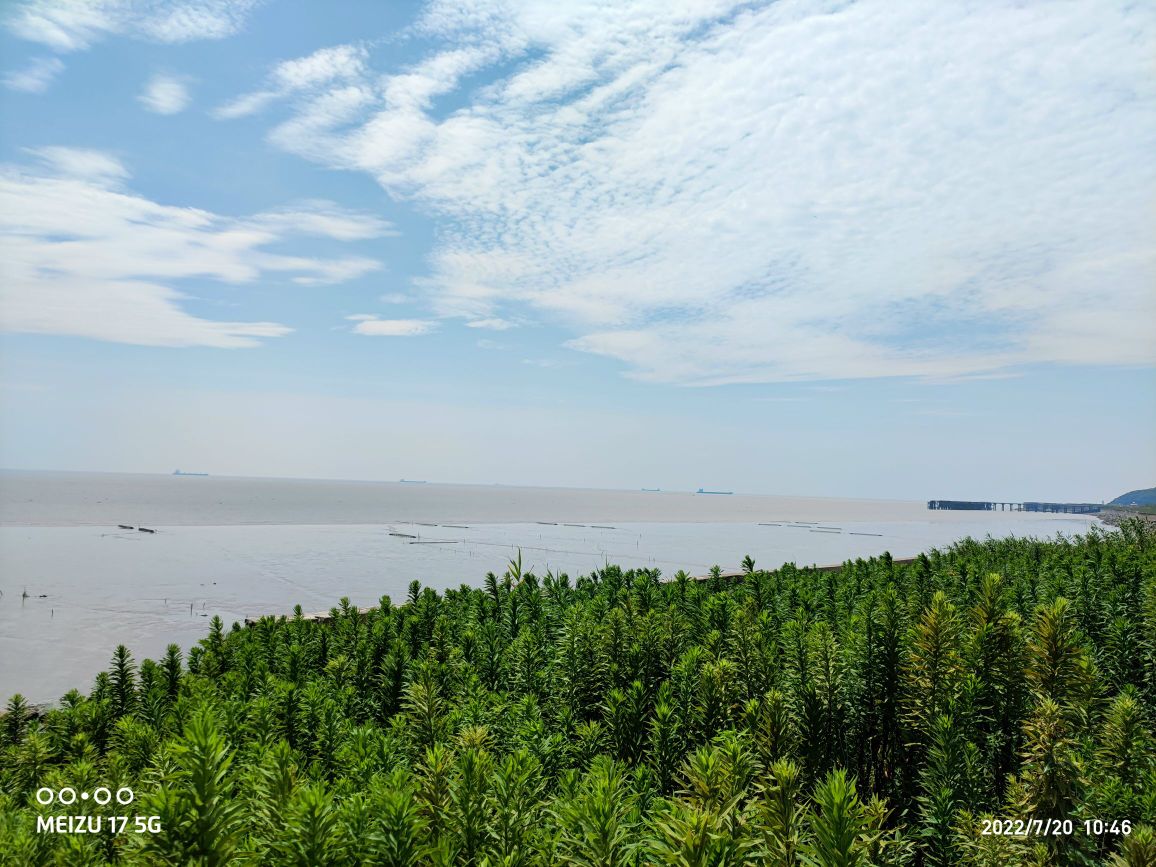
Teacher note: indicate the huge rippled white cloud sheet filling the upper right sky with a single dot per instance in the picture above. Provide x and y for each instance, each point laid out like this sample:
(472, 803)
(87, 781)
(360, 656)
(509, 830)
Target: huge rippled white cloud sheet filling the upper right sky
(716, 192)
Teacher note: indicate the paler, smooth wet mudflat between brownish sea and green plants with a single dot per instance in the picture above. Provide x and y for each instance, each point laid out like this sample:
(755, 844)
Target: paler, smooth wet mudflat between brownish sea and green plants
(101, 587)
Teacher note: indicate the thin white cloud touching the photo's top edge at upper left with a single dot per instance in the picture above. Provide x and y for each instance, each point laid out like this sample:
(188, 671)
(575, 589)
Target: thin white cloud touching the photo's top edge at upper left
(76, 25)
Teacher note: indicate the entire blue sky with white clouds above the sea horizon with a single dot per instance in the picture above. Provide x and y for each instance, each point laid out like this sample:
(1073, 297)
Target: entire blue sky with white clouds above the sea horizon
(878, 249)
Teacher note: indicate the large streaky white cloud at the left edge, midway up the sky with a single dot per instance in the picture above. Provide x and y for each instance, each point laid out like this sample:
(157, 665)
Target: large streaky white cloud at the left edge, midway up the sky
(84, 256)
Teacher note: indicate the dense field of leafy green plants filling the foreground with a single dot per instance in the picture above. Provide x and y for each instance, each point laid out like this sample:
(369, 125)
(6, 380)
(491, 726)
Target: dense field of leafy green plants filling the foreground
(869, 716)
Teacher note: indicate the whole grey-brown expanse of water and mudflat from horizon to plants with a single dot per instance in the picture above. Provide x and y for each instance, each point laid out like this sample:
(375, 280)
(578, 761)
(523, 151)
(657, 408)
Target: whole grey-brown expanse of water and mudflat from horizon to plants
(75, 583)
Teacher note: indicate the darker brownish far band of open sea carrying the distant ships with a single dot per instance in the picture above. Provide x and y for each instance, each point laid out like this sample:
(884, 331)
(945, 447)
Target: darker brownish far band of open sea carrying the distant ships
(112, 499)
